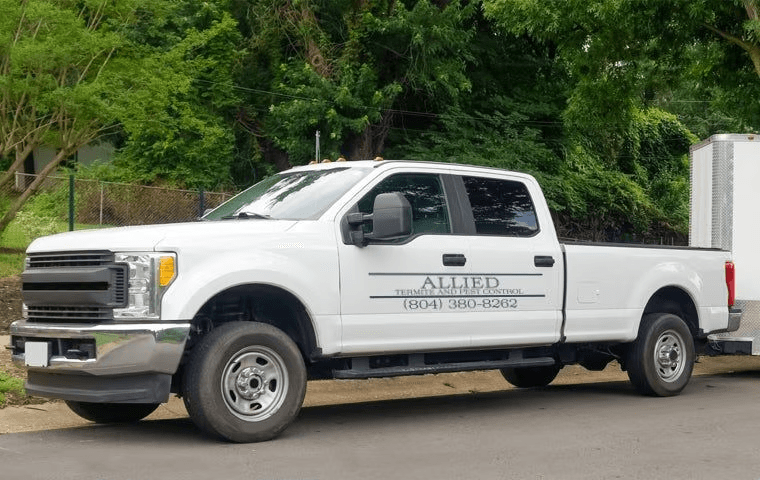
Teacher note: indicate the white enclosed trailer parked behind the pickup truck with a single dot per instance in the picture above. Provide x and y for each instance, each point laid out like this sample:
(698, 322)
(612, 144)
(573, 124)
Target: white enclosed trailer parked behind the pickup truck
(725, 214)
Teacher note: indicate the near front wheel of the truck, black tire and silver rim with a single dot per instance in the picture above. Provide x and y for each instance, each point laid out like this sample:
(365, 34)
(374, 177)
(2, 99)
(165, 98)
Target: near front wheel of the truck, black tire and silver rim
(245, 382)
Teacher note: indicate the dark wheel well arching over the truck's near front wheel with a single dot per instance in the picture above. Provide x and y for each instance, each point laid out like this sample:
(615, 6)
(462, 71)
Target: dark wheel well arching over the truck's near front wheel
(258, 303)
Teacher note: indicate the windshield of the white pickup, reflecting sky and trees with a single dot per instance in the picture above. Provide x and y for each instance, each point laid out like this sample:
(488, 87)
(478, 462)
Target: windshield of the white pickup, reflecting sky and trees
(300, 195)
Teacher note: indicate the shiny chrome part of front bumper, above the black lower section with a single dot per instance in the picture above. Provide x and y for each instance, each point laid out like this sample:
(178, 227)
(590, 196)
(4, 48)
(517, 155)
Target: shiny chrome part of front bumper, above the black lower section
(119, 349)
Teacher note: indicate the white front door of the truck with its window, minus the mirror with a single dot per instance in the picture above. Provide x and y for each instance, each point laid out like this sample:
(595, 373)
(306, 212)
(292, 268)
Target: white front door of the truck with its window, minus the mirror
(395, 295)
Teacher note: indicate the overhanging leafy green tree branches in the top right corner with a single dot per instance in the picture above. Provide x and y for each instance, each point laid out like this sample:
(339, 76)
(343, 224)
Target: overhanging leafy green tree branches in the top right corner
(625, 53)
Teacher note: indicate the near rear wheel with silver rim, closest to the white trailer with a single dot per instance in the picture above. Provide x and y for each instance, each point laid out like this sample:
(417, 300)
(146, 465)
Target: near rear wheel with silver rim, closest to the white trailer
(661, 360)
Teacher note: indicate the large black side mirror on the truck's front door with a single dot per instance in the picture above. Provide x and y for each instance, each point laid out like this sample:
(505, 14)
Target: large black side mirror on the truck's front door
(391, 218)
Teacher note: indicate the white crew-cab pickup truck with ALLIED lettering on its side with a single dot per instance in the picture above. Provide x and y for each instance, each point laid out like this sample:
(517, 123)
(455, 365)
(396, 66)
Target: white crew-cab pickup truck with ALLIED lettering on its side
(352, 270)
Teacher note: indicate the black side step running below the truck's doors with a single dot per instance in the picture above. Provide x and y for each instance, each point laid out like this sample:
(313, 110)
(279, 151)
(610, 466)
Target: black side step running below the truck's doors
(416, 364)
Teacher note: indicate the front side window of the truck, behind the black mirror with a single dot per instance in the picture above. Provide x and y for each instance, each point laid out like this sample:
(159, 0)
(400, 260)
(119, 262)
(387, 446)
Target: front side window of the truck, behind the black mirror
(424, 192)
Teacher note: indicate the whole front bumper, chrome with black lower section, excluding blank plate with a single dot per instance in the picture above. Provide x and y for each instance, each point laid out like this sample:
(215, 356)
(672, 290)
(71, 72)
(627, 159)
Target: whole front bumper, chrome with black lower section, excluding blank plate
(102, 363)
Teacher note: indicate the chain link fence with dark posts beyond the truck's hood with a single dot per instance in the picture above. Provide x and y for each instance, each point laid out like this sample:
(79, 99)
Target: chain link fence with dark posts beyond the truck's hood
(108, 204)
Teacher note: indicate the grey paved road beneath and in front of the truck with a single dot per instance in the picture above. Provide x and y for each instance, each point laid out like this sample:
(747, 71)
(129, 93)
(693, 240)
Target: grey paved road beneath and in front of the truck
(588, 431)
